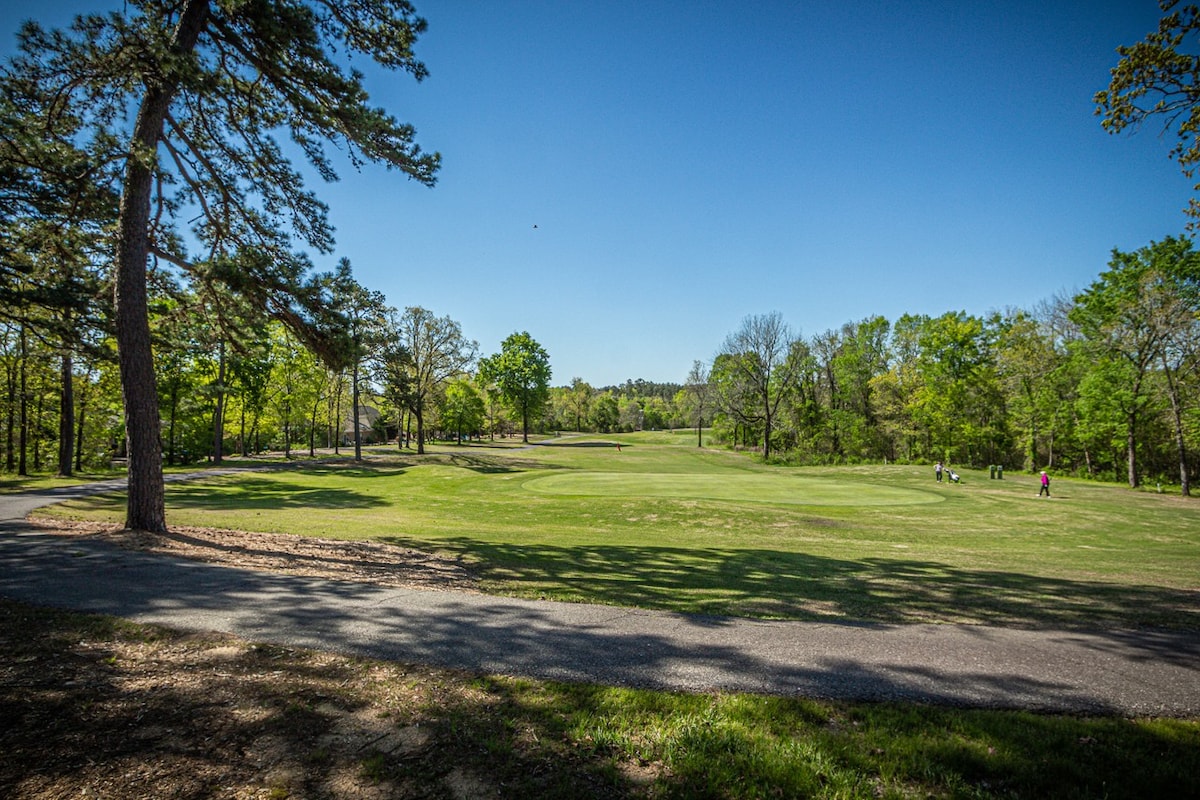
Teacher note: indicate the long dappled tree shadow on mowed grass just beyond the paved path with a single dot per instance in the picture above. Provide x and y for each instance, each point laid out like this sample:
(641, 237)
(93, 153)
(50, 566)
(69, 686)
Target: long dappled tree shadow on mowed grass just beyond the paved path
(805, 587)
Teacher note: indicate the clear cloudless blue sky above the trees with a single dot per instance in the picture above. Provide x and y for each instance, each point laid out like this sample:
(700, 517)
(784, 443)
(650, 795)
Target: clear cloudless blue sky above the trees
(627, 182)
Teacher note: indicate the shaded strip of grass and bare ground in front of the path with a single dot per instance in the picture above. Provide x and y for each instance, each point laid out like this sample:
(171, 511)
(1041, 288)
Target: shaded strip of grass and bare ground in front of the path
(76, 719)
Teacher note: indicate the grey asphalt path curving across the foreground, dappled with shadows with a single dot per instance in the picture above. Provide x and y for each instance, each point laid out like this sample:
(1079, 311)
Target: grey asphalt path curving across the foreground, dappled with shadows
(1132, 673)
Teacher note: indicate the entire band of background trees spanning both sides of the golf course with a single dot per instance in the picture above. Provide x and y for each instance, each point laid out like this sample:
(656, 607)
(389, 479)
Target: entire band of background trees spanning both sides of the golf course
(1103, 384)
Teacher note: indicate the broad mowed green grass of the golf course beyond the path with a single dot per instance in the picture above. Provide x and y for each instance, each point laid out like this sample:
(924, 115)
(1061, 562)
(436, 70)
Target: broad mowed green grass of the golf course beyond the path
(664, 525)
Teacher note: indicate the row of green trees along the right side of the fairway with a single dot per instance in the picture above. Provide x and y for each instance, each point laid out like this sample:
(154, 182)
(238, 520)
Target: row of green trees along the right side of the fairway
(1102, 384)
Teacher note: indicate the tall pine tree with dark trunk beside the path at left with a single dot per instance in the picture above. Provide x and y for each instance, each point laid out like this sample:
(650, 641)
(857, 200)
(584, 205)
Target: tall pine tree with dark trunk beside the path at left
(189, 98)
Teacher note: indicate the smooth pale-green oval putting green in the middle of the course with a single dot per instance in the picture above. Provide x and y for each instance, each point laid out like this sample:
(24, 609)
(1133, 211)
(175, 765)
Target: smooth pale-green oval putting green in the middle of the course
(737, 488)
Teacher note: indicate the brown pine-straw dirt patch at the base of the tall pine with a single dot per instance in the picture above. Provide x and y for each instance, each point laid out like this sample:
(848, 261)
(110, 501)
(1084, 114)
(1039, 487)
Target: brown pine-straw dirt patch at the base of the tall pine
(319, 558)
